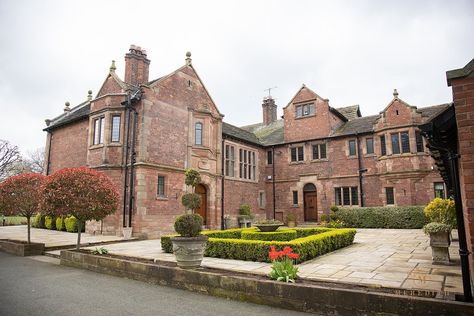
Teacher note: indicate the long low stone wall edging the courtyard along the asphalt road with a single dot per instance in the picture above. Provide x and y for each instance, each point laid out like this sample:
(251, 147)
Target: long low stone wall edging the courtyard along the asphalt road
(318, 299)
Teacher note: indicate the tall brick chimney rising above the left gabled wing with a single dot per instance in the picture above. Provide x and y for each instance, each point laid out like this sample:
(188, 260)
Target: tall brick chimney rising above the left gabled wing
(136, 66)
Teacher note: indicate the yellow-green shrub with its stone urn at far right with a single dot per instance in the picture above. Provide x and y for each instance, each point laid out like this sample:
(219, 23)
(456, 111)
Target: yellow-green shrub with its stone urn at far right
(442, 216)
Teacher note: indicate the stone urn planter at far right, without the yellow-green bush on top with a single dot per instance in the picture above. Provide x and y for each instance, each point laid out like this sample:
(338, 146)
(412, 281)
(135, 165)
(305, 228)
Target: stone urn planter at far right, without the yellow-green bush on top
(440, 239)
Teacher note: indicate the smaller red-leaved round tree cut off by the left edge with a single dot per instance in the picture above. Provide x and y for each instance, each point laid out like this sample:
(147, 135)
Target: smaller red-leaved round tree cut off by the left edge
(20, 195)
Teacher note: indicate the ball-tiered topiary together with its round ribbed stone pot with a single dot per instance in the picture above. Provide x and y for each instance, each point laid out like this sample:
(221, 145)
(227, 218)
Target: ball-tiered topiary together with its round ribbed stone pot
(189, 246)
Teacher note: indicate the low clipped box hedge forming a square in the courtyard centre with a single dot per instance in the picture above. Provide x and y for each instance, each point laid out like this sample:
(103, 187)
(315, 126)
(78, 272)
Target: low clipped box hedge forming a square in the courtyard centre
(310, 243)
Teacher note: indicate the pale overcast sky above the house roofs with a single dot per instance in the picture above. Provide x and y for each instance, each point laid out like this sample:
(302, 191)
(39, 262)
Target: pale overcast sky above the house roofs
(351, 52)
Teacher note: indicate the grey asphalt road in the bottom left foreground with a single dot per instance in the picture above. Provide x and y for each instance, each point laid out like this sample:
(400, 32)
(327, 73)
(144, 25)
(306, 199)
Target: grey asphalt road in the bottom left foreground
(30, 287)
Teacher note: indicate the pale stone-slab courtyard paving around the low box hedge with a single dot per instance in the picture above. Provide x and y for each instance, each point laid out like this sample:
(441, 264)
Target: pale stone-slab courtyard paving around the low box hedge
(379, 258)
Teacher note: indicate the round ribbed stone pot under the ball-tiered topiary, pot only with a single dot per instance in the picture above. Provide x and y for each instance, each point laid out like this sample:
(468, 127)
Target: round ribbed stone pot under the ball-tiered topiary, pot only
(189, 251)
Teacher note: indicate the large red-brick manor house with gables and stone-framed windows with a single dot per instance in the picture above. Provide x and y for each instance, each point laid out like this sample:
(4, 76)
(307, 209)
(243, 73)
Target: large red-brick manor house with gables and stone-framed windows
(144, 133)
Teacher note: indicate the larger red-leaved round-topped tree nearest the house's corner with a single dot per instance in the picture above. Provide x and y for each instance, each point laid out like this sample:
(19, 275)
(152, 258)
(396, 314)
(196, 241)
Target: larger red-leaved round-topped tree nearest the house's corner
(82, 192)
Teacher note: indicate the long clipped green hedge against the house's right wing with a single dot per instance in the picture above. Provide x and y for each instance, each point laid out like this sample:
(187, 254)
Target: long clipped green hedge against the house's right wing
(407, 217)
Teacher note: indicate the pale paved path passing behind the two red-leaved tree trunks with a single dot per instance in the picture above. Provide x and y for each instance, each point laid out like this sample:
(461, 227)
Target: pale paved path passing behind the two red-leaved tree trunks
(52, 238)
